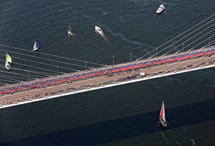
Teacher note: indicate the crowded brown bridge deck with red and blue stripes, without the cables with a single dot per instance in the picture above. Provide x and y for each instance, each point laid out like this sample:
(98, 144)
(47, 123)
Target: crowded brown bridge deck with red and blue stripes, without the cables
(10, 96)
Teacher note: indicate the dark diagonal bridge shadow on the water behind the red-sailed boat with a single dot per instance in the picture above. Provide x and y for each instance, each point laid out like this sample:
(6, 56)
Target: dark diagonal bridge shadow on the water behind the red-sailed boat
(109, 131)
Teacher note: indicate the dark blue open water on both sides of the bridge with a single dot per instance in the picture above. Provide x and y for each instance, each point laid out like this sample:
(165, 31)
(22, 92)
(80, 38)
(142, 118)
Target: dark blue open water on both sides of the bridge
(124, 115)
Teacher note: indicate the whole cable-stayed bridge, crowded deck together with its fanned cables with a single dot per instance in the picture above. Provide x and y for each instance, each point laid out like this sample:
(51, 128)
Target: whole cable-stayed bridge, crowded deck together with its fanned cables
(192, 50)
